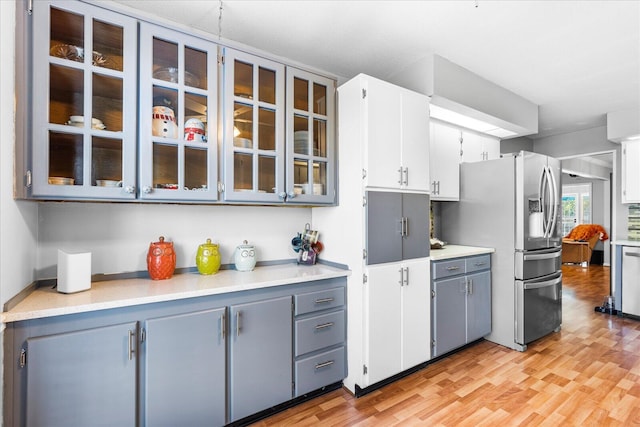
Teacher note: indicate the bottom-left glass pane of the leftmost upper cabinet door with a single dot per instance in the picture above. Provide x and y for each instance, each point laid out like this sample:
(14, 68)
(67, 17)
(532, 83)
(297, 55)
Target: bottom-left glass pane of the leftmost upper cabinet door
(66, 155)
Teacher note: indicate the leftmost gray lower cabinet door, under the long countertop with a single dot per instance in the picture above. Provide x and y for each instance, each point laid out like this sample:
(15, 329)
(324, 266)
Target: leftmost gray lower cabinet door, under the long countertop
(82, 378)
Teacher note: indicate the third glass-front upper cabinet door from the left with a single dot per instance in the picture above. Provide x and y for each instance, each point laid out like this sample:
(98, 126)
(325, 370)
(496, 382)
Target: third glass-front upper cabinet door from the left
(254, 128)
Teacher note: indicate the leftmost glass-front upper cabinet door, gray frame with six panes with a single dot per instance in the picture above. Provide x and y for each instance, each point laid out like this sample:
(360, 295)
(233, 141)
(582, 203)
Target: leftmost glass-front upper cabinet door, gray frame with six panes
(84, 108)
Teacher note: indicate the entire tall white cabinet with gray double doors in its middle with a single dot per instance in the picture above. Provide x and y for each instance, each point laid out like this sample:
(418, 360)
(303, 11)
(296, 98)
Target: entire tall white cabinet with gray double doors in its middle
(384, 157)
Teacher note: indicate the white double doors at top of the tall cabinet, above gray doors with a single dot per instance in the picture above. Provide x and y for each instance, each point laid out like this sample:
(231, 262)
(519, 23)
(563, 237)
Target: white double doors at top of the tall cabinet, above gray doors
(396, 127)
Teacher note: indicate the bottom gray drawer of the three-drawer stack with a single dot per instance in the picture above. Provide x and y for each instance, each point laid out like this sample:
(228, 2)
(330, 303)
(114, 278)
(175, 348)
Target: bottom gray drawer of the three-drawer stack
(318, 371)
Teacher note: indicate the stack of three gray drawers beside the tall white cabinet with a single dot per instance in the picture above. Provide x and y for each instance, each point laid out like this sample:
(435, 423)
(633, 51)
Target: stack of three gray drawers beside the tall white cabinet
(319, 339)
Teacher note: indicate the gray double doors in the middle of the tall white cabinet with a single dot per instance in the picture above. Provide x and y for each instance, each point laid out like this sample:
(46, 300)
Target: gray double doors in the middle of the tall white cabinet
(397, 226)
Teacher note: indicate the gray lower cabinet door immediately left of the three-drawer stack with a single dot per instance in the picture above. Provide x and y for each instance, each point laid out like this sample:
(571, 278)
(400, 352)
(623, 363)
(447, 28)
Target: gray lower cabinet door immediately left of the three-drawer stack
(260, 356)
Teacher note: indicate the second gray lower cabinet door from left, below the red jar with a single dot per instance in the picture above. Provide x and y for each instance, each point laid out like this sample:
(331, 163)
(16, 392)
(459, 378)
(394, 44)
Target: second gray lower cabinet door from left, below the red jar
(184, 359)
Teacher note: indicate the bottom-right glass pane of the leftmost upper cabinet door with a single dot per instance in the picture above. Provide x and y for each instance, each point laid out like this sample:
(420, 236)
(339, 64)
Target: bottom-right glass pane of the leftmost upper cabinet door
(106, 162)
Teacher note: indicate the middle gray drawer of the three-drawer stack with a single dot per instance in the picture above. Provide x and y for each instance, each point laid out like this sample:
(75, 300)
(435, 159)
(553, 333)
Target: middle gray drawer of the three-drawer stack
(317, 332)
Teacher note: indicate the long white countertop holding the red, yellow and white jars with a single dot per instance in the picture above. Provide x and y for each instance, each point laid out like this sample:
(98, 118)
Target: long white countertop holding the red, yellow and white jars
(46, 302)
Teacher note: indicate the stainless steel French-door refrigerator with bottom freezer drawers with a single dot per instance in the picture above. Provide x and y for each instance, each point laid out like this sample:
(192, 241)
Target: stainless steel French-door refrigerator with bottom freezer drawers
(513, 205)
